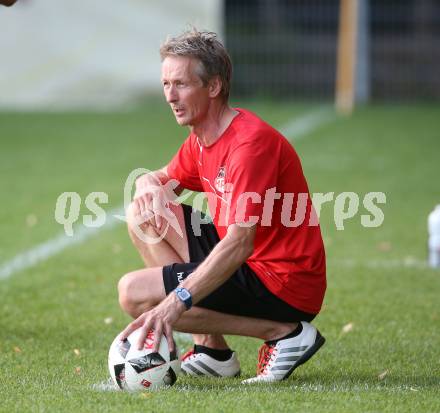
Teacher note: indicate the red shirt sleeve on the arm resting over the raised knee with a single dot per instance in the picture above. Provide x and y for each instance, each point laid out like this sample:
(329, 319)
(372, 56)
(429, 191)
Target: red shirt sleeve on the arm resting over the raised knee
(183, 167)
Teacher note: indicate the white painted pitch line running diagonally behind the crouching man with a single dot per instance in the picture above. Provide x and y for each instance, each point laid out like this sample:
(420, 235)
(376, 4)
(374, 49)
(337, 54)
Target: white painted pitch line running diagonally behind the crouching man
(295, 129)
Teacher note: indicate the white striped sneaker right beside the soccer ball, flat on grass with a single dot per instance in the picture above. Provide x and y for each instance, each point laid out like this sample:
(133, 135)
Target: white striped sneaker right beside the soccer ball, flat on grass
(201, 364)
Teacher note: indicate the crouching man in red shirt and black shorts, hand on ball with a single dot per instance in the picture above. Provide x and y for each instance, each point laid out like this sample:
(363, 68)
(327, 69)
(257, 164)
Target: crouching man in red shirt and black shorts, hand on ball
(253, 271)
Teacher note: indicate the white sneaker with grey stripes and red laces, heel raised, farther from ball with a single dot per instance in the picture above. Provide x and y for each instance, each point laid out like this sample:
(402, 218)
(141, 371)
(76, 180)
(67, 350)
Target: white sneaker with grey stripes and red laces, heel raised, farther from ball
(277, 361)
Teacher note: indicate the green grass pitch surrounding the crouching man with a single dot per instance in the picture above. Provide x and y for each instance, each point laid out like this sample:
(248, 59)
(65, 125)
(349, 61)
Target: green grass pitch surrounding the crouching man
(377, 279)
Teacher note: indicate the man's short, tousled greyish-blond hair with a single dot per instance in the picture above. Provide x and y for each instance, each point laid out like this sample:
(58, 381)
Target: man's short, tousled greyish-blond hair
(208, 50)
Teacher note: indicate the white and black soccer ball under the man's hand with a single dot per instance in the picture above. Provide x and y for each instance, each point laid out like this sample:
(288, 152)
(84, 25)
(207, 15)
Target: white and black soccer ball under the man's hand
(133, 370)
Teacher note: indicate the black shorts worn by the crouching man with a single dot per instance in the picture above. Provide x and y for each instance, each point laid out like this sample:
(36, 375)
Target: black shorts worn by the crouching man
(243, 294)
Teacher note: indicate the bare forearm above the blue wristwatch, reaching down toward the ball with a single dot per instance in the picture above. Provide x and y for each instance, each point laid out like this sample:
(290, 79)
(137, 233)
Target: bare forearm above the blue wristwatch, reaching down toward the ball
(228, 255)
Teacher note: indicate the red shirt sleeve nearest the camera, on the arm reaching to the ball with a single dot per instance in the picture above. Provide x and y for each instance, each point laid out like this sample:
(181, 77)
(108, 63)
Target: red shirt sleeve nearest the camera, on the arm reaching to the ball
(252, 172)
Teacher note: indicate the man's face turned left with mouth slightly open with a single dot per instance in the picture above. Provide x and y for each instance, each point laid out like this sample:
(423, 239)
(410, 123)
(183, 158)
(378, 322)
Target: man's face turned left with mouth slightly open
(184, 90)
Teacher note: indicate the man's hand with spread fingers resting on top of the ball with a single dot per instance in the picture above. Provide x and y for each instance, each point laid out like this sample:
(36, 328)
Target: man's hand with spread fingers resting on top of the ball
(160, 319)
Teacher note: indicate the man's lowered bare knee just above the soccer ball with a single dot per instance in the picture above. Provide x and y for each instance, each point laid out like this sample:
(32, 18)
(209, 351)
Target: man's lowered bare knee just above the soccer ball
(130, 299)
